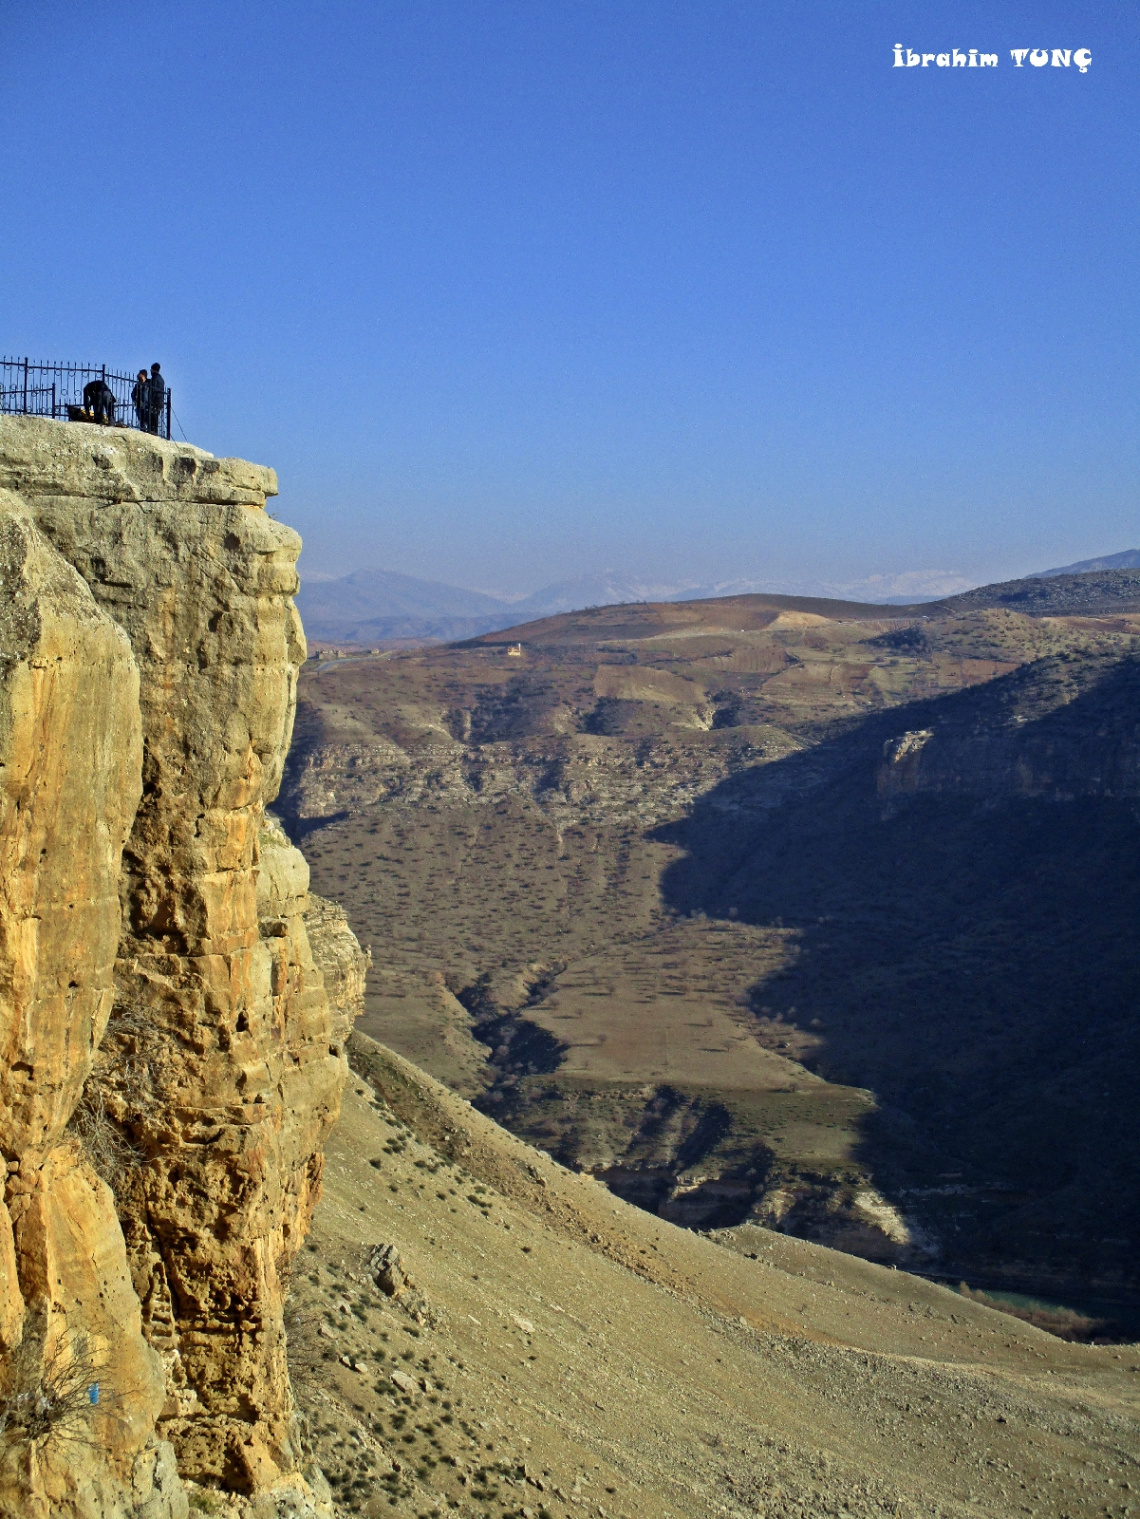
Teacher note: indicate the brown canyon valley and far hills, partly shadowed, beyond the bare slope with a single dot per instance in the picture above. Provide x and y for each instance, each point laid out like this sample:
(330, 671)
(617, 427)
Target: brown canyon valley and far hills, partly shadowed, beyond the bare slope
(768, 911)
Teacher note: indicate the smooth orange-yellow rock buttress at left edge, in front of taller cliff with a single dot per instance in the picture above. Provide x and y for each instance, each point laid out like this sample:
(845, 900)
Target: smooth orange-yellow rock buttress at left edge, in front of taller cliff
(71, 757)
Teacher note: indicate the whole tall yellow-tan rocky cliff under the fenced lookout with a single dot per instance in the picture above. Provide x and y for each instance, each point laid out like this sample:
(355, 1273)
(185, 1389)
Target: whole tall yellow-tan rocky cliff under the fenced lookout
(173, 1058)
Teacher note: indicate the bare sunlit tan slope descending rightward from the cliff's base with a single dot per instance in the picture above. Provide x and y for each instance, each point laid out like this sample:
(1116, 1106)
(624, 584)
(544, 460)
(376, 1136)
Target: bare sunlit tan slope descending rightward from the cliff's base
(563, 1354)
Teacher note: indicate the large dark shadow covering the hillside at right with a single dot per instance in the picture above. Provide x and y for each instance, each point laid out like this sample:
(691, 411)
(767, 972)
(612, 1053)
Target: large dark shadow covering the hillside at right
(972, 956)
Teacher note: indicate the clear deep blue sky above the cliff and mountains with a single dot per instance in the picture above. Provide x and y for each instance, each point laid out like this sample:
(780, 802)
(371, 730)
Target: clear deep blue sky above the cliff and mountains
(691, 289)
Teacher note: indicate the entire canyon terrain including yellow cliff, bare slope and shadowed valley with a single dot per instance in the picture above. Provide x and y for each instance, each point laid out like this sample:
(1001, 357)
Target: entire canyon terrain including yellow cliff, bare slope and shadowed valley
(753, 920)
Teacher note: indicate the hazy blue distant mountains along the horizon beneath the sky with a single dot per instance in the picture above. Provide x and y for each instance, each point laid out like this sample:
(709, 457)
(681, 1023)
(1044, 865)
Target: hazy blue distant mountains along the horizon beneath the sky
(384, 608)
